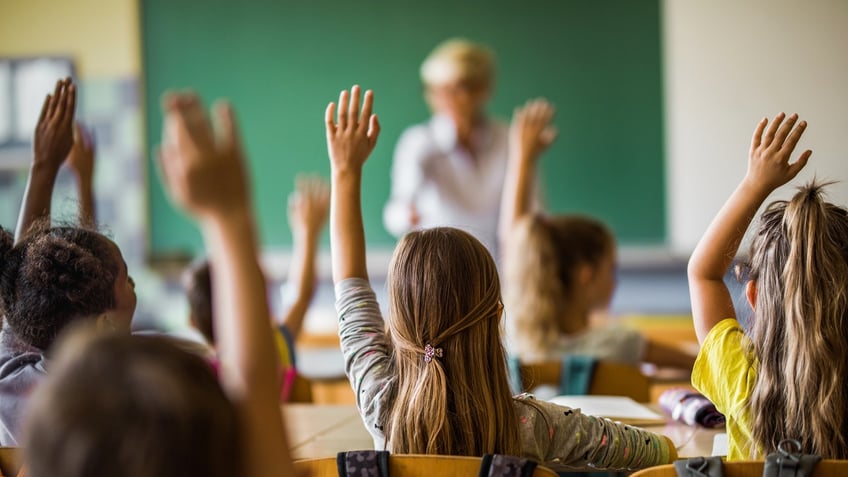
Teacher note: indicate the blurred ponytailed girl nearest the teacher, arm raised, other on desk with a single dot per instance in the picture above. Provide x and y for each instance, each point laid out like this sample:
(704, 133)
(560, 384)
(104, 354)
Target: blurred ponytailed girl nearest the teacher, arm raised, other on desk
(558, 270)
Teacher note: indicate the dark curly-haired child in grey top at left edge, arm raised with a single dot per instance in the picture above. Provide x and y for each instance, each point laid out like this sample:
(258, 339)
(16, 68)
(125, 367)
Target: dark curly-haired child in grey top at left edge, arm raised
(53, 276)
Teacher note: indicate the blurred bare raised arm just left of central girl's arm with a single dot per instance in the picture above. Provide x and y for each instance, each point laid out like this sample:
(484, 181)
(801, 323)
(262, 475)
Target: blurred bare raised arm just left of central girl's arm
(307, 212)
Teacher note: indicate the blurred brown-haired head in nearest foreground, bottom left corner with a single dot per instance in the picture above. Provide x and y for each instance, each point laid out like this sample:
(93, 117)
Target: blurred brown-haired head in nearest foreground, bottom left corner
(132, 406)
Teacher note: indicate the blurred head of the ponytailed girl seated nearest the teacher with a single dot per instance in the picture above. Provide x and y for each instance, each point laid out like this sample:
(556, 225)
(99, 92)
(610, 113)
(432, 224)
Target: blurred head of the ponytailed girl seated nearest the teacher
(554, 265)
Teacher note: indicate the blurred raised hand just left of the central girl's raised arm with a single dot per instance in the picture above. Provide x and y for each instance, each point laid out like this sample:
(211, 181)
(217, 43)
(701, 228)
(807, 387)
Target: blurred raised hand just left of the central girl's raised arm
(309, 206)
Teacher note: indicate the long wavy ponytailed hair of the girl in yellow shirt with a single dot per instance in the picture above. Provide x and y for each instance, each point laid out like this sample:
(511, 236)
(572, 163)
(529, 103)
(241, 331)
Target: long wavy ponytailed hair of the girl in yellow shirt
(799, 333)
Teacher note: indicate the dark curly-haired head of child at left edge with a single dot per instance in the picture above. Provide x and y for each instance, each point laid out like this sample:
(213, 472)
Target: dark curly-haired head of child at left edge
(58, 275)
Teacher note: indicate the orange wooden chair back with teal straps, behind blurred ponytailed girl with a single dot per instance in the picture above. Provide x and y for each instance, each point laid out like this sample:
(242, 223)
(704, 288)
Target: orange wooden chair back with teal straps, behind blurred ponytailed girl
(608, 378)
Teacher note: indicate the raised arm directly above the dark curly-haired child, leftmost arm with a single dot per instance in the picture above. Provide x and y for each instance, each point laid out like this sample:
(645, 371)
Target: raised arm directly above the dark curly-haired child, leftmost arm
(52, 142)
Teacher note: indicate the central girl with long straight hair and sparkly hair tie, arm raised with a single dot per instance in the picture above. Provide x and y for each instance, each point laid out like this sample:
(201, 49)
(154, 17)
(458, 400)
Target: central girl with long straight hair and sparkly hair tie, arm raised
(432, 378)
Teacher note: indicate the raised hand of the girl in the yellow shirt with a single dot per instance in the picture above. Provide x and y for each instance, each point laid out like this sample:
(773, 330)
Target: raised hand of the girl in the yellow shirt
(768, 160)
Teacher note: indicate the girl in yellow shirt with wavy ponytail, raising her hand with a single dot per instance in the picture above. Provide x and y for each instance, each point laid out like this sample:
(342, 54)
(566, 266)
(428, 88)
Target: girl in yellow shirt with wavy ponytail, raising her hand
(786, 377)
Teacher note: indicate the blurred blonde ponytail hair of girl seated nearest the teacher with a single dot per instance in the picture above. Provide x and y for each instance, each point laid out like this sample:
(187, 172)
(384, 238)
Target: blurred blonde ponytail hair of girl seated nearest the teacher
(541, 258)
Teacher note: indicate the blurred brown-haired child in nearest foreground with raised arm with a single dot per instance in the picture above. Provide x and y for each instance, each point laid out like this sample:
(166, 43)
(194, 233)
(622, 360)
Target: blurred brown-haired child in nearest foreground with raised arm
(140, 406)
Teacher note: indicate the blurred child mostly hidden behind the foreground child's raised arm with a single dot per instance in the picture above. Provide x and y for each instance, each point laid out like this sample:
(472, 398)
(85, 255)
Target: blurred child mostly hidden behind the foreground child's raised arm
(307, 213)
